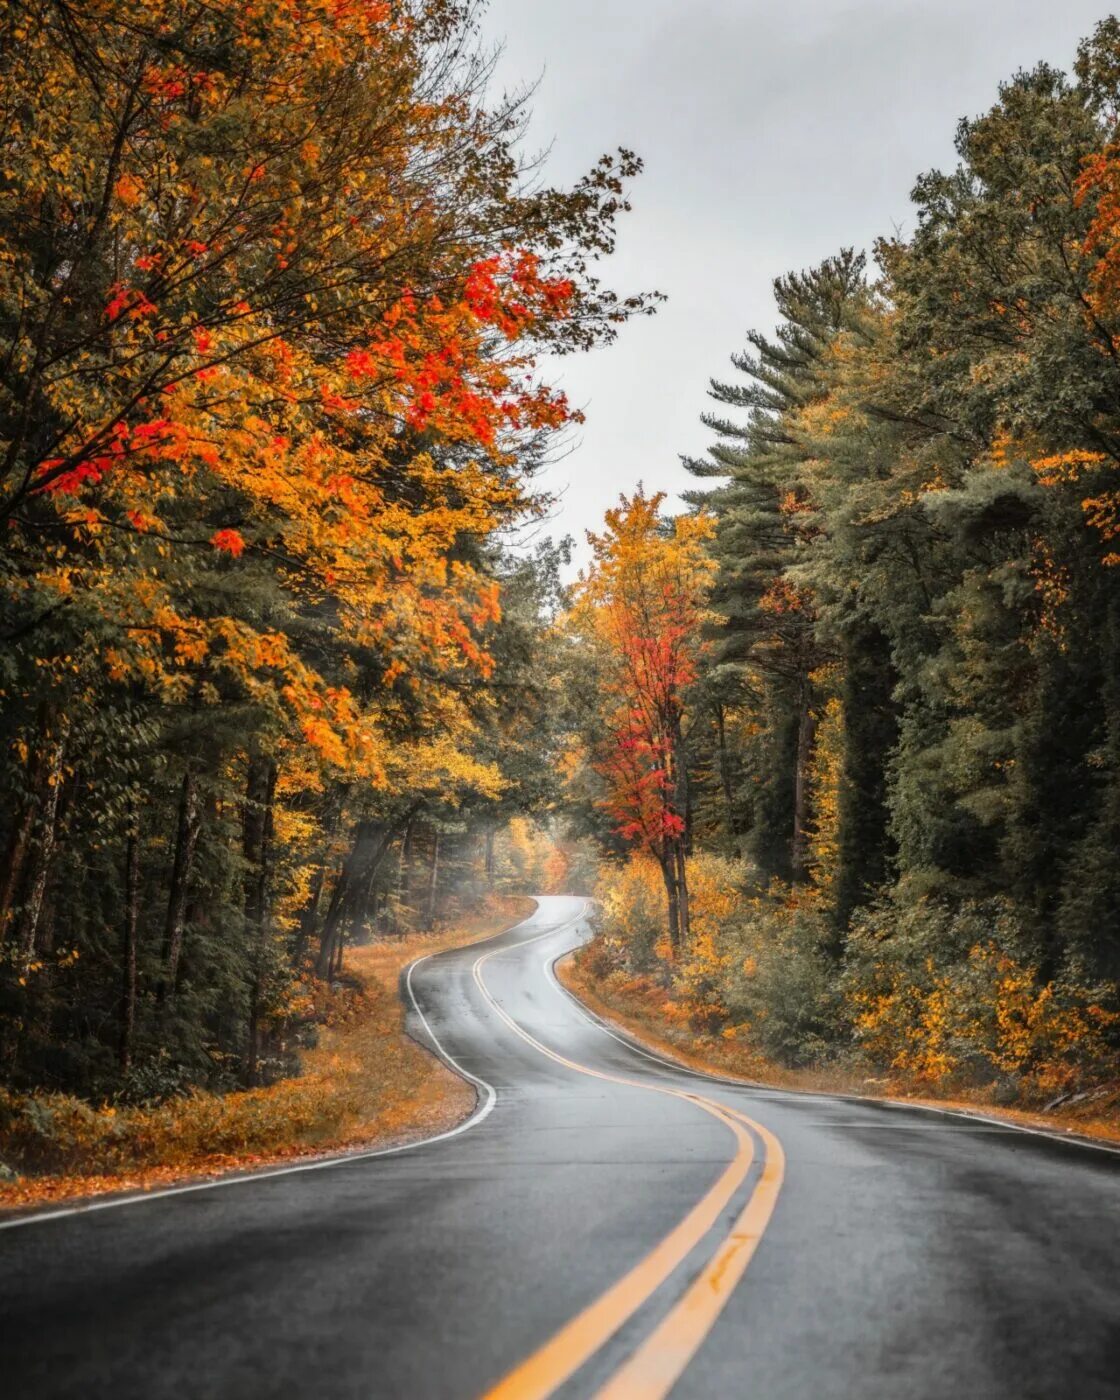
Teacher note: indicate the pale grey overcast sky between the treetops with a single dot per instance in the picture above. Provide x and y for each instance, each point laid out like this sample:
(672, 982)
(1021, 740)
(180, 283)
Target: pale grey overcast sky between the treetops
(773, 134)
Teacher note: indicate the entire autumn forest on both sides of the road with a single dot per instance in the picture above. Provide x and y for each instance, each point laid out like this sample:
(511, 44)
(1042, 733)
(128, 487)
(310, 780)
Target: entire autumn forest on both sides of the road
(288, 663)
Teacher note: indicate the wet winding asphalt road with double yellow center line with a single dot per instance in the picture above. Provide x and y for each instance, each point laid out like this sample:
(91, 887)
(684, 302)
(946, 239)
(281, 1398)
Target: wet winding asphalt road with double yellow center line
(605, 1226)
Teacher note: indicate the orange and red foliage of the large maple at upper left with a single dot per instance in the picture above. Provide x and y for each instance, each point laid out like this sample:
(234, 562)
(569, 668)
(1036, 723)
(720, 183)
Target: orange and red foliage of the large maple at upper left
(292, 311)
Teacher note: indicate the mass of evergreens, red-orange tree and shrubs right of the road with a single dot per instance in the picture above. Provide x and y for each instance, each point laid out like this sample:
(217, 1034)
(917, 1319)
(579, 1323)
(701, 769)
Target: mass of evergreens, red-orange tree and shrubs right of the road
(860, 709)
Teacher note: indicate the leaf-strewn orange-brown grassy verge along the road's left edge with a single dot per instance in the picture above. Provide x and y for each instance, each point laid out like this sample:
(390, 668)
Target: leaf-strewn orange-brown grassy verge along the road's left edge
(366, 1084)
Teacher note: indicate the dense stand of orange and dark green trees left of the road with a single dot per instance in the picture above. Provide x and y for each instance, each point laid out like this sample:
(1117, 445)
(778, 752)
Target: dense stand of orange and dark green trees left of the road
(274, 282)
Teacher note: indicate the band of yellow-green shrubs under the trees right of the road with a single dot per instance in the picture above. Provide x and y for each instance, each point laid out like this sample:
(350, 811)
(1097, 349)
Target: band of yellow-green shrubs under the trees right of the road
(941, 995)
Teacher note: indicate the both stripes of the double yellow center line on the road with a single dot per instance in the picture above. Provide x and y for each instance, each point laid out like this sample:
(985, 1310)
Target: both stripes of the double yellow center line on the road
(657, 1364)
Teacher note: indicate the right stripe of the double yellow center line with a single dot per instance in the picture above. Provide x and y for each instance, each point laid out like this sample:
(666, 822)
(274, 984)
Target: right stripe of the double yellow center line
(659, 1363)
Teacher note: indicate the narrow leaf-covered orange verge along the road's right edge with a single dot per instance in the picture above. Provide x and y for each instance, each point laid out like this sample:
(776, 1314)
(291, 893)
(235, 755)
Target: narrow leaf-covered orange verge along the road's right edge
(647, 1011)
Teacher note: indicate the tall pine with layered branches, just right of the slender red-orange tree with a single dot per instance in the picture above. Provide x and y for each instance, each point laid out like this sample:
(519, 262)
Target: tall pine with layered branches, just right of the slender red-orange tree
(764, 512)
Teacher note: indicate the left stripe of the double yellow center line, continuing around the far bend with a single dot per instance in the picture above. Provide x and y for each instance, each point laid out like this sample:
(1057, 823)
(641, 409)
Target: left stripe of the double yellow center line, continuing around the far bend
(541, 1374)
